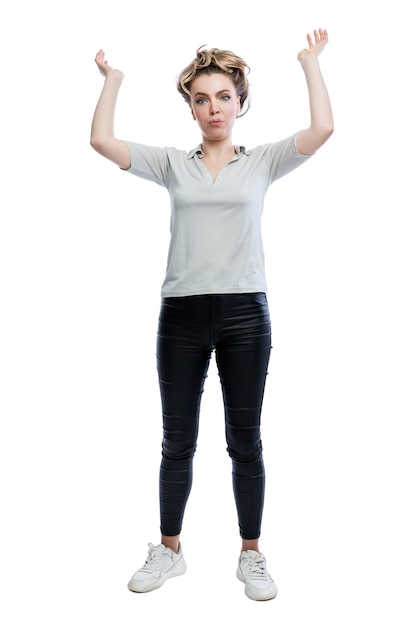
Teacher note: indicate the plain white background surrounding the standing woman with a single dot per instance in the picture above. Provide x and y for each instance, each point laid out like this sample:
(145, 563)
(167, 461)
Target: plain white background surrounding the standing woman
(83, 249)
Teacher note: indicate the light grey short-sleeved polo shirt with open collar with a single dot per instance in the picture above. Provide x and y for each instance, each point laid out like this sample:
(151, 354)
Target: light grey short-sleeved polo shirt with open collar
(216, 242)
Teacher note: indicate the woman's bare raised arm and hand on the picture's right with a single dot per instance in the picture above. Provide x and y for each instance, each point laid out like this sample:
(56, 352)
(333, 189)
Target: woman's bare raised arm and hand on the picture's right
(321, 127)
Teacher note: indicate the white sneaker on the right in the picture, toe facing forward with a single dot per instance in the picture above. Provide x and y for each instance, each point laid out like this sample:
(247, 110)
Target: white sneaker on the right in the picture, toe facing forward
(252, 571)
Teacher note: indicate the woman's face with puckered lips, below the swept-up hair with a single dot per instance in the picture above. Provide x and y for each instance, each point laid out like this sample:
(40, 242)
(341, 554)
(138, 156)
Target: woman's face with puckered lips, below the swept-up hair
(214, 105)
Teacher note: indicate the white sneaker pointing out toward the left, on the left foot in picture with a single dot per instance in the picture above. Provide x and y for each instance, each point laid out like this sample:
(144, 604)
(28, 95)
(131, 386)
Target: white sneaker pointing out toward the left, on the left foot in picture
(161, 563)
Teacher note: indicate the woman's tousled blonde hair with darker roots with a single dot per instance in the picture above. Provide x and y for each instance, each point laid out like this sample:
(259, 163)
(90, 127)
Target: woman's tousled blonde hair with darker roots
(217, 61)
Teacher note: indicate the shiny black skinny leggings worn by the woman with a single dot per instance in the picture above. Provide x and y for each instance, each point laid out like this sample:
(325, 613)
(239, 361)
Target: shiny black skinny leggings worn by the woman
(237, 327)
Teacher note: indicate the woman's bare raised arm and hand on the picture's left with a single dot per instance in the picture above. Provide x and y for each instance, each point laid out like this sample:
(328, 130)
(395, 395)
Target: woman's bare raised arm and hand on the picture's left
(102, 129)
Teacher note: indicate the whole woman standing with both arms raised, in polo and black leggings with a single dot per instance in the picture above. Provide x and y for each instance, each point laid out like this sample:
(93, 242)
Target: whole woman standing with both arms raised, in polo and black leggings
(213, 294)
